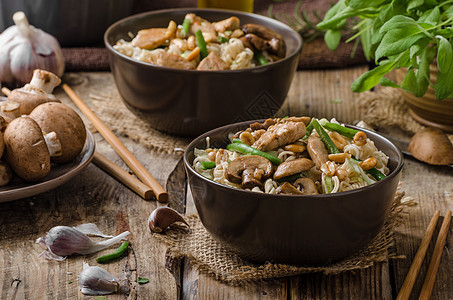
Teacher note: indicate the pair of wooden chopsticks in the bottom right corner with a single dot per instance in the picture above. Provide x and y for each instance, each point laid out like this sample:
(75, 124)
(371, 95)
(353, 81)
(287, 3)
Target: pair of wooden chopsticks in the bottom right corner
(431, 273)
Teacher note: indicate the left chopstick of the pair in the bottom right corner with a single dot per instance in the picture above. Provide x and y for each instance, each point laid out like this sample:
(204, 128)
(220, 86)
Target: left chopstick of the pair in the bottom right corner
(411, 276)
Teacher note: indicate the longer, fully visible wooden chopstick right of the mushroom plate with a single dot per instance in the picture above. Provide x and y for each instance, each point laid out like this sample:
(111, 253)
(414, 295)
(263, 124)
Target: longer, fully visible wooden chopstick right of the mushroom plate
(118, 146)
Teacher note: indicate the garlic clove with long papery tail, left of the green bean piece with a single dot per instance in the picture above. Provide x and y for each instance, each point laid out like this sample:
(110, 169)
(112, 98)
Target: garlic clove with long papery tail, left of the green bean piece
(62, 241)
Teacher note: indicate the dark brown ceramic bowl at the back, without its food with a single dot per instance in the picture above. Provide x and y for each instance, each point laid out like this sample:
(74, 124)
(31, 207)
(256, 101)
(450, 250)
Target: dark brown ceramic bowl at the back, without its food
(190, 102)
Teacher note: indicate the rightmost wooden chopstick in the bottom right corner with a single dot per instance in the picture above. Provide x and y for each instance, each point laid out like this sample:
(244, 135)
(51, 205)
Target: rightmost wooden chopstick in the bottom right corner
(431, 273)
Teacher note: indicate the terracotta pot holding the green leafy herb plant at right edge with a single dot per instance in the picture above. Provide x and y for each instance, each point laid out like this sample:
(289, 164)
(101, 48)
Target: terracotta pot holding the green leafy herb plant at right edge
(427, 109)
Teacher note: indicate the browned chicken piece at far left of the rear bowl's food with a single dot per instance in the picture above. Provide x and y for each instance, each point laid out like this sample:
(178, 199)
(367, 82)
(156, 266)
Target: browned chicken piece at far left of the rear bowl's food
(154, 37)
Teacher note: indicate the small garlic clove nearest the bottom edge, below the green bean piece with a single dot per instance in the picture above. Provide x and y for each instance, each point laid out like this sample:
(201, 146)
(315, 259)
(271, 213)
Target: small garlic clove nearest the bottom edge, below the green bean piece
(95, 280)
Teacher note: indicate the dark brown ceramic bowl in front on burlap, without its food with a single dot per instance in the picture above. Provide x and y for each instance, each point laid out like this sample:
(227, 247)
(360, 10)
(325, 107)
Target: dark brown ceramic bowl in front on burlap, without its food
(299, 230)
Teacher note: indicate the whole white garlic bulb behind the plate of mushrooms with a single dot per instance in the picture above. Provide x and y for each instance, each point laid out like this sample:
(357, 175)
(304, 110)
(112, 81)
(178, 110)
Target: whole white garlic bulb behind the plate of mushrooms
(24, 48)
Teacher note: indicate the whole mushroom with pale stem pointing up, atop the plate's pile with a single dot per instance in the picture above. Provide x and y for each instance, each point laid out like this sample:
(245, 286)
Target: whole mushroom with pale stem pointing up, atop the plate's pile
(37, 92)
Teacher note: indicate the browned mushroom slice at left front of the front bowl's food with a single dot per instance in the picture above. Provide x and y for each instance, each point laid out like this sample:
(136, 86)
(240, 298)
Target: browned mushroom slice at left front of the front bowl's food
(249, 171)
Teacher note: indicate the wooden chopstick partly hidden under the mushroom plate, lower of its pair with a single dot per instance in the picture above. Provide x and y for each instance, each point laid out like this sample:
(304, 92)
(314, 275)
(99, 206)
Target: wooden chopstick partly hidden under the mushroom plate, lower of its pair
(127, 179)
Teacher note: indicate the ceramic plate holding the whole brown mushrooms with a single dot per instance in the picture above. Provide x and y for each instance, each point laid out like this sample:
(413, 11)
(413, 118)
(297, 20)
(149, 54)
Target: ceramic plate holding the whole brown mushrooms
(59, 174)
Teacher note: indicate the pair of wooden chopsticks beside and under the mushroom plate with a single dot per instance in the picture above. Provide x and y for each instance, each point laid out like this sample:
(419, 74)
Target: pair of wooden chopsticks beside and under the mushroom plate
(145, 188)
